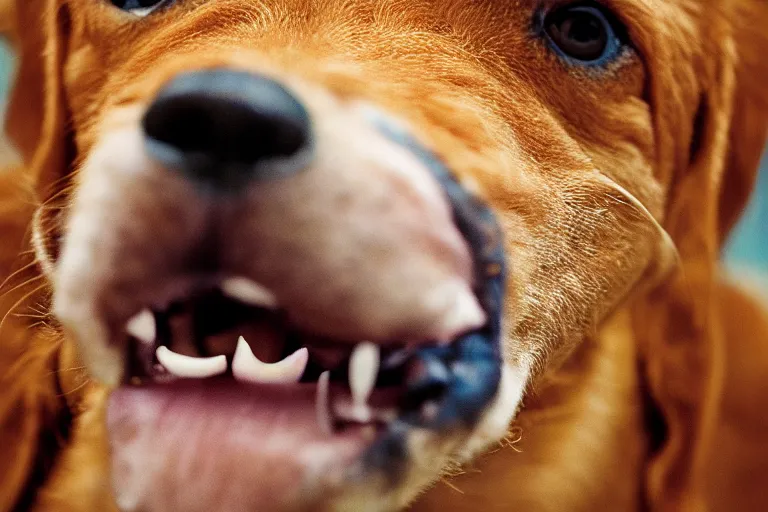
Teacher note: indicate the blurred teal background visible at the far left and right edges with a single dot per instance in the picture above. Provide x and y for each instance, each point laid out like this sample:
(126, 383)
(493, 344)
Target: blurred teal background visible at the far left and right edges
(747, 249)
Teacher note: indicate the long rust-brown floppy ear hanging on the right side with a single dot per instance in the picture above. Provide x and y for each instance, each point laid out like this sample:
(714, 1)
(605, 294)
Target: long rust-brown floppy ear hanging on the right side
(678, 325)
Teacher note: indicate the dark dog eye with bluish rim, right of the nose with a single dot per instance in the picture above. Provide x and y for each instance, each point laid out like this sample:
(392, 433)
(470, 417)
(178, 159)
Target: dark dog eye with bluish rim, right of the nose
(584, 33)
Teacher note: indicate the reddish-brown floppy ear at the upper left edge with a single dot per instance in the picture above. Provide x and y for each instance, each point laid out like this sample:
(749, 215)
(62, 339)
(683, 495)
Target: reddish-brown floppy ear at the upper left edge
(36, 112)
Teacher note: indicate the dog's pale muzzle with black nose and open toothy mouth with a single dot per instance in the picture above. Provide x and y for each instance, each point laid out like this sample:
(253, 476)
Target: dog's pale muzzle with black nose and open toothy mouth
(420, 286)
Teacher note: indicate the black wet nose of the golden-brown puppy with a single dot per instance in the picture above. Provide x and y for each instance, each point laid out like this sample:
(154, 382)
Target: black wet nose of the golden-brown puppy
(227, 128)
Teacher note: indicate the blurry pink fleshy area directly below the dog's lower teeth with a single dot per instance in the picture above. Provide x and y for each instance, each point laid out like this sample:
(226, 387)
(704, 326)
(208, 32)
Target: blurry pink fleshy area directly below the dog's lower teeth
(216, 445)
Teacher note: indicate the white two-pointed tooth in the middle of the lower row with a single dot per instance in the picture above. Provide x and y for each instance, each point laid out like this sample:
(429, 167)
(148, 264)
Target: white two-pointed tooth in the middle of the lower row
(247, 367)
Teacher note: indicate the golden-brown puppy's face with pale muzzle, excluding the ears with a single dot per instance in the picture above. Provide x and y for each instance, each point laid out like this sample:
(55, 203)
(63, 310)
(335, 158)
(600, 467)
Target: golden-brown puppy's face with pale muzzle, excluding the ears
(279, 204)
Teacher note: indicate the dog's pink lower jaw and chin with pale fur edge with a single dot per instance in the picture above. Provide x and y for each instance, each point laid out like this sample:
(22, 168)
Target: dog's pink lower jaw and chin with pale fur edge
(221, 447)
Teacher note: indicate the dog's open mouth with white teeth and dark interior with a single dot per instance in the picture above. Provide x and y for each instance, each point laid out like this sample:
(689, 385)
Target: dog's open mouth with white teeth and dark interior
(237, 333)
